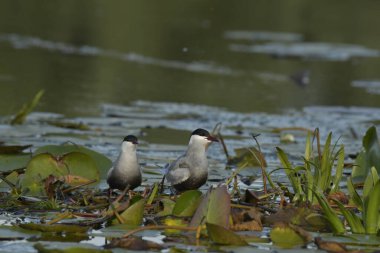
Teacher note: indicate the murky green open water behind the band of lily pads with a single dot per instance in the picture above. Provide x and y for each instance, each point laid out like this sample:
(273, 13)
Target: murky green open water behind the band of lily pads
(233, 55)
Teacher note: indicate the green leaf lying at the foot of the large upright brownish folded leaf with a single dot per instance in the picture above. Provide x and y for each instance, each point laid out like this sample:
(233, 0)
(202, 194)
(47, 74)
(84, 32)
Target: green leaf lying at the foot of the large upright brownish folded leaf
(221, 235)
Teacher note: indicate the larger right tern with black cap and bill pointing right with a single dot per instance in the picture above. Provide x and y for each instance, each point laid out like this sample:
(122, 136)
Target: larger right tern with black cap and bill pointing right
(190, 170)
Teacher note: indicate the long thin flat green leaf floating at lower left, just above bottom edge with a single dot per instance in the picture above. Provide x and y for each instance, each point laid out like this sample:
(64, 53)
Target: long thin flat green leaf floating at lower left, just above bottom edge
(57, 228)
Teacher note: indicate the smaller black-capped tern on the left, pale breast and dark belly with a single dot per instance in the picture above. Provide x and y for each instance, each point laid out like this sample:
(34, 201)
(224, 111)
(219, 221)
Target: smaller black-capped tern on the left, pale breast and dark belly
(126, 169)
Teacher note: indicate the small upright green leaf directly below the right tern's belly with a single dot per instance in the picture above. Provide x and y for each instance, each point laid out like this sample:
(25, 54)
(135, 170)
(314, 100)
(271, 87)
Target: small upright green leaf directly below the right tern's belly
(187, 203)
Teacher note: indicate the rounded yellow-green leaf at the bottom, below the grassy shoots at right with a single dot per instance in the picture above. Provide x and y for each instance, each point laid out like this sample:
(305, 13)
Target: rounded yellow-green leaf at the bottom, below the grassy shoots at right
(284, 236)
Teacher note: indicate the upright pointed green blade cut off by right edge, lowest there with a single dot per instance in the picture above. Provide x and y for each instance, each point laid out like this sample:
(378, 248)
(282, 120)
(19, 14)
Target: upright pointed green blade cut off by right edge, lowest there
(371, 210)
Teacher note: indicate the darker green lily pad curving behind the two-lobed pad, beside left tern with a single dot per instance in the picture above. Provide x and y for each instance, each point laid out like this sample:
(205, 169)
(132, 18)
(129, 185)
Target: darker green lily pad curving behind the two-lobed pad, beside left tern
(102, 162)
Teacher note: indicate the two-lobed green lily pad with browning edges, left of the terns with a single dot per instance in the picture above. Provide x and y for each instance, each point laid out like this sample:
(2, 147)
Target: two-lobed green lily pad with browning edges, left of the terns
(72, 165)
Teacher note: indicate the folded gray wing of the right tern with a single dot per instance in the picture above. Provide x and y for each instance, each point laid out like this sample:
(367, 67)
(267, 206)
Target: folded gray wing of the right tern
(178, 171)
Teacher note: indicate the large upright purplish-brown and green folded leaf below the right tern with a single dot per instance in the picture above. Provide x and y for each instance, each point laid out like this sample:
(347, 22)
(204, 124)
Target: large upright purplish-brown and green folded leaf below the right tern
(214, 208)
